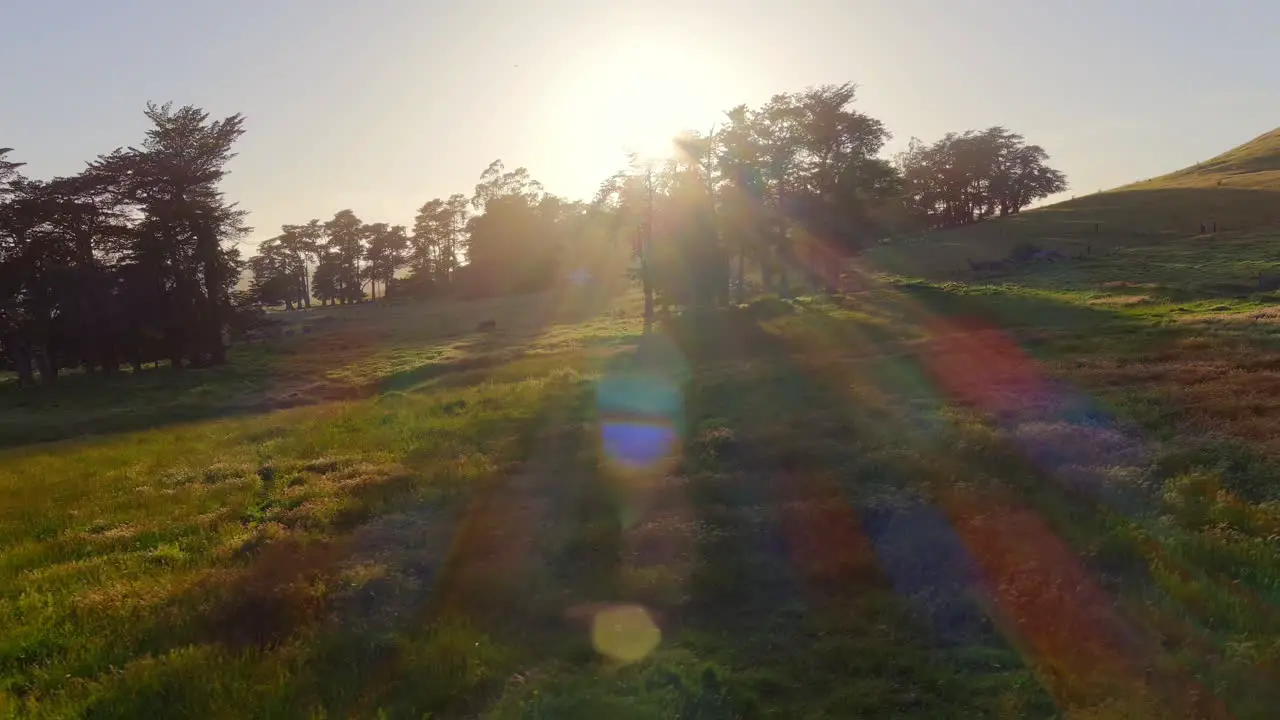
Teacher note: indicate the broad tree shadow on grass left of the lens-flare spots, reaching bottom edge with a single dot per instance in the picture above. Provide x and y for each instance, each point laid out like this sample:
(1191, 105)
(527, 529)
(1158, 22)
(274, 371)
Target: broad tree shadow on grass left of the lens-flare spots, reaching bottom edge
(408, 605)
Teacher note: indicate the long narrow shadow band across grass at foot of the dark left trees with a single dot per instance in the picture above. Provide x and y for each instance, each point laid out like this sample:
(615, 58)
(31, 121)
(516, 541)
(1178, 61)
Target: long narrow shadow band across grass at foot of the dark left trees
(294, 371)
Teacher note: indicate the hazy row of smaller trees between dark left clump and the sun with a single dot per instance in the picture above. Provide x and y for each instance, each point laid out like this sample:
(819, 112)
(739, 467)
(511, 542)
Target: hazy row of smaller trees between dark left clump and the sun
(513, 235)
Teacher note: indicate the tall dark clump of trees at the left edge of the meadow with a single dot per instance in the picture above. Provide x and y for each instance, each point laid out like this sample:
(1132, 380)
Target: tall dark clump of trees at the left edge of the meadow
(131, 261)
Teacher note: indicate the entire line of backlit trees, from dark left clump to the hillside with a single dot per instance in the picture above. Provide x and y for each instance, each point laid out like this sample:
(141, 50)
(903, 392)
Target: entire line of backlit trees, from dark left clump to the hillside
(135, 258)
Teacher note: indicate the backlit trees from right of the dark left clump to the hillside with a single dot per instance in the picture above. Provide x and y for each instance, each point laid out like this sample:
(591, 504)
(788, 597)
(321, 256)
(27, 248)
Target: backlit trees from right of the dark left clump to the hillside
(790, 188)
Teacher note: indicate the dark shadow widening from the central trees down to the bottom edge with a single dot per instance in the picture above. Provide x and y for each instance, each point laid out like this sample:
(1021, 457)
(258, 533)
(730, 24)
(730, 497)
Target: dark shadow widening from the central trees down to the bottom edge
(821, 555)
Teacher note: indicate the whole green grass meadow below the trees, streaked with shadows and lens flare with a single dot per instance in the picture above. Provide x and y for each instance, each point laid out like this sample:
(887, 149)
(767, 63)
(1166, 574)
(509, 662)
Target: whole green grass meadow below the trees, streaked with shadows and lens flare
(1034, 499)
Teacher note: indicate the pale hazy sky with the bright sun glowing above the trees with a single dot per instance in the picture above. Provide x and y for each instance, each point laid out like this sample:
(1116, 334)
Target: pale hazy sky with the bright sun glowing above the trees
(382, 106)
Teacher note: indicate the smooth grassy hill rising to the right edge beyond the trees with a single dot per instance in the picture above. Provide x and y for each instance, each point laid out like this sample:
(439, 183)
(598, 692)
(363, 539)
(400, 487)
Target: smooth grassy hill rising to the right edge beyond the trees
(1238, 190)
